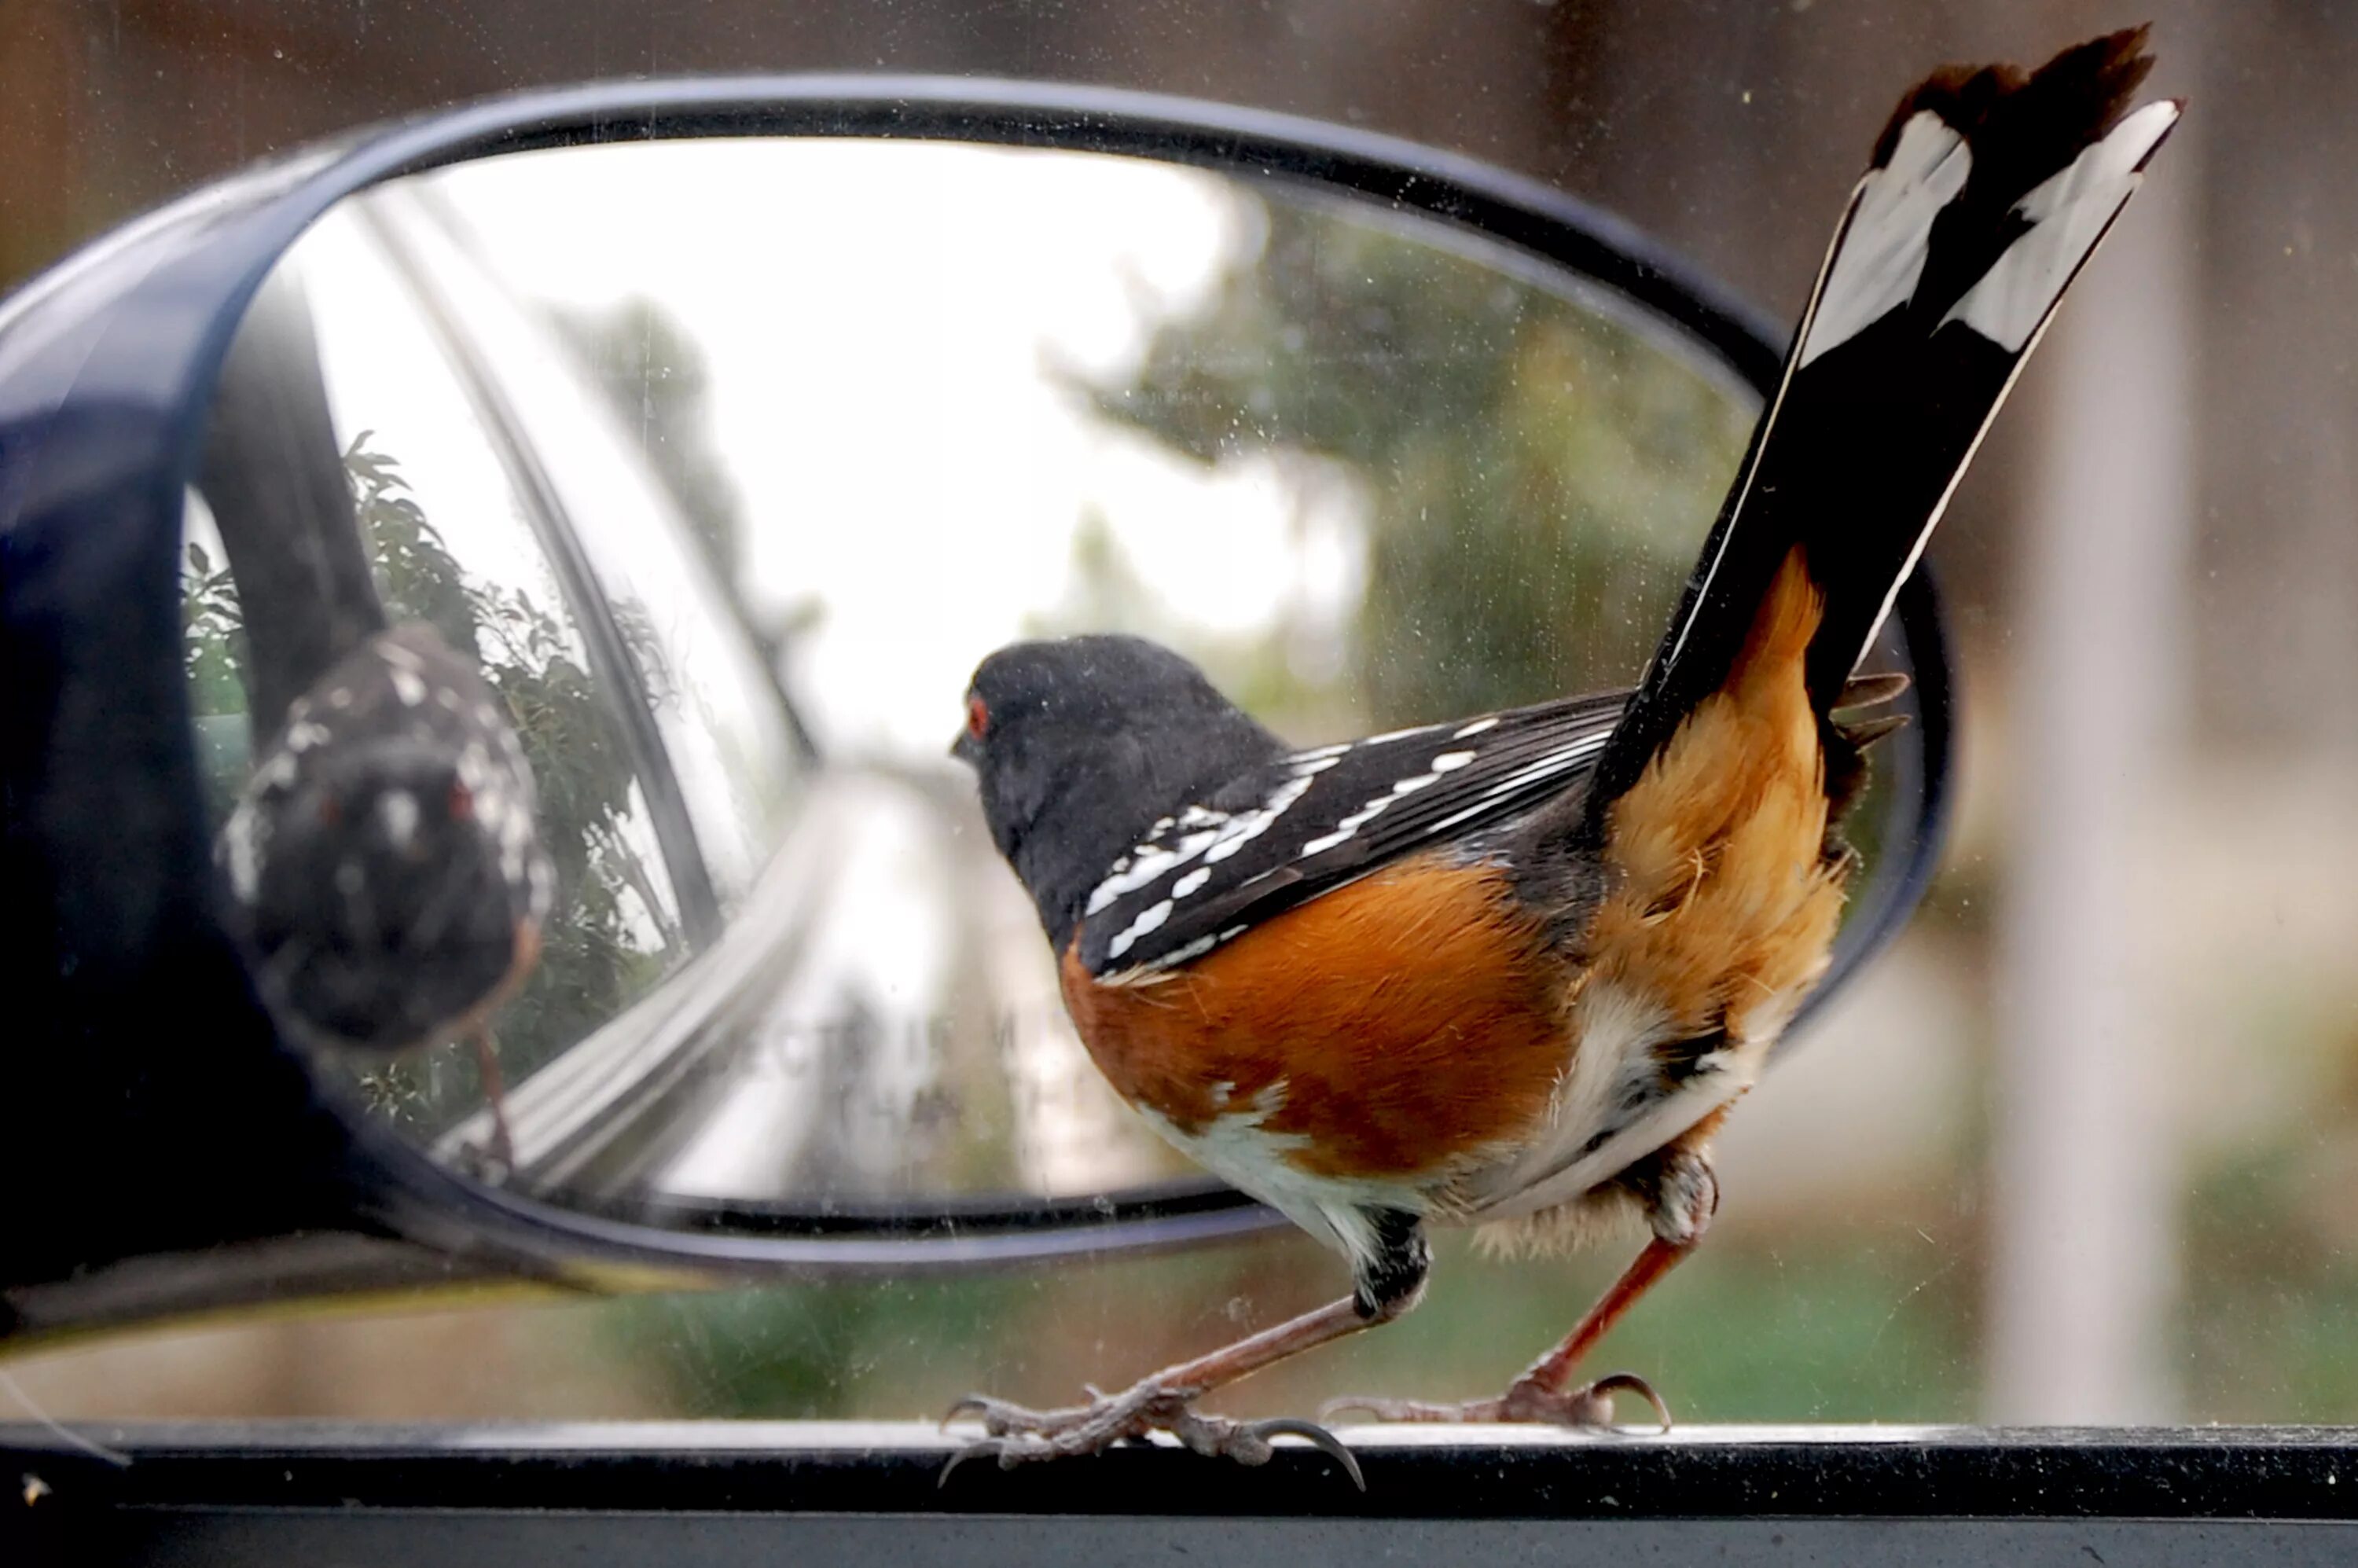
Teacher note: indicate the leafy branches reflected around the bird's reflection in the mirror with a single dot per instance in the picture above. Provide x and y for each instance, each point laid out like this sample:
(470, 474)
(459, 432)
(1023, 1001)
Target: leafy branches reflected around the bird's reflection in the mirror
(612, 925)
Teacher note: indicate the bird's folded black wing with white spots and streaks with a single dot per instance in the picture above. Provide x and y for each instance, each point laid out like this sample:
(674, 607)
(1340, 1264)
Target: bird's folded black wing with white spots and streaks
(1312, 822)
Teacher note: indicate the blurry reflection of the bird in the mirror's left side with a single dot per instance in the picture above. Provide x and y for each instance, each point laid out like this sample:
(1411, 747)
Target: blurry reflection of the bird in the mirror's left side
(386, 857)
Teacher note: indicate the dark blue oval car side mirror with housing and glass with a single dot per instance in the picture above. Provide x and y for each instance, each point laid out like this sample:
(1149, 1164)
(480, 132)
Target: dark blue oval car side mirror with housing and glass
(716, 430)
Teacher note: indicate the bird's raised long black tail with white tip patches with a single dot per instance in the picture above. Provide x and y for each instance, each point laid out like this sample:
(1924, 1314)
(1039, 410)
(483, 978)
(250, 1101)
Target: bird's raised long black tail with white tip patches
(1989, 192)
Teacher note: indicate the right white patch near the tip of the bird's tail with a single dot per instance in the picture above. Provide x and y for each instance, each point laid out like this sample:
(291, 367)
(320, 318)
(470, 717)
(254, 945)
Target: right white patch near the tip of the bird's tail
(2067, 213)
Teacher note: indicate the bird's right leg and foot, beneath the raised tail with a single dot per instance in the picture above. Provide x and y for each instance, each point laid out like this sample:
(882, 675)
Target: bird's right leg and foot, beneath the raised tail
(1680, 1197)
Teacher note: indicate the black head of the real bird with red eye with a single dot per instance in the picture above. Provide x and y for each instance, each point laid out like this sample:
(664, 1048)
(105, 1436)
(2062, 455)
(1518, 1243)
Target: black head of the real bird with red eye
(1084, 744)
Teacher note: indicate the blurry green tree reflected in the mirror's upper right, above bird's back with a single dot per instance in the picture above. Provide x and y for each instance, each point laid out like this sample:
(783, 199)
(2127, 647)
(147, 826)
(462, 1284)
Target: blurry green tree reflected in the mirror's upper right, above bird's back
(1539, 473)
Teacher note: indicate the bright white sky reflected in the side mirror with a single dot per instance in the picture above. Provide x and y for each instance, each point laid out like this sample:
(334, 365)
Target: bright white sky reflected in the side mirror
(881, 324)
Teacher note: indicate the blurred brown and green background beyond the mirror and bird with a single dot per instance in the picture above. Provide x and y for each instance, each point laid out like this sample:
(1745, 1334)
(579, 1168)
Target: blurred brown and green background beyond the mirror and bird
(2083, 1145)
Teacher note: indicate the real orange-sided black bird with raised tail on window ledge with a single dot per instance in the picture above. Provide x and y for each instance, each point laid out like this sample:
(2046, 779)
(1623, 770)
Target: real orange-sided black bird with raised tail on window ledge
(1515, 970)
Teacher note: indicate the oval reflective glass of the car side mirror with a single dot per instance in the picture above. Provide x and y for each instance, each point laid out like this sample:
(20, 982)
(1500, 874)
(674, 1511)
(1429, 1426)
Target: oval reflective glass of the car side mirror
(723, 463)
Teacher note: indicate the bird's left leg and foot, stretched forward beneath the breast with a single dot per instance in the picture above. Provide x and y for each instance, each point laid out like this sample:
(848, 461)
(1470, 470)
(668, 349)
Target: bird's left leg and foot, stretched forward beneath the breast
(1164, 1402)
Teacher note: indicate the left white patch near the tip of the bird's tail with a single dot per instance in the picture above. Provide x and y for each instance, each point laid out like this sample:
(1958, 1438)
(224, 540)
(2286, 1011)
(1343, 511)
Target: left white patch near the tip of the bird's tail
(1890, 232)
